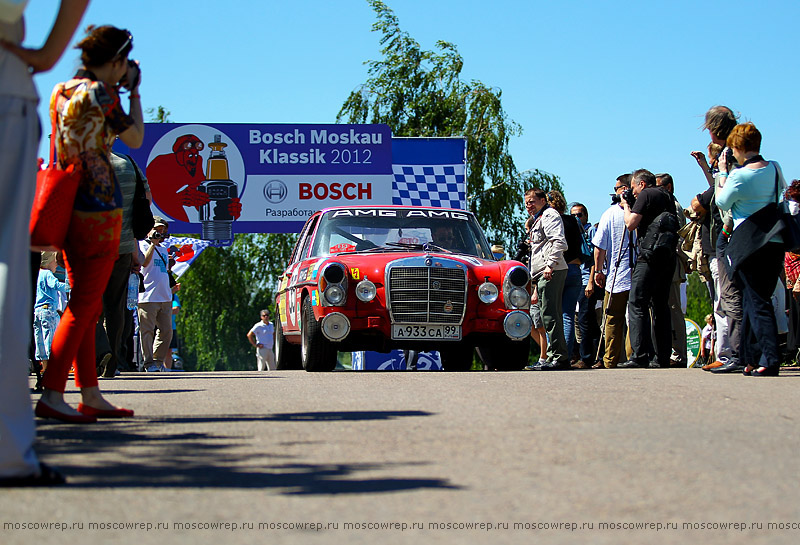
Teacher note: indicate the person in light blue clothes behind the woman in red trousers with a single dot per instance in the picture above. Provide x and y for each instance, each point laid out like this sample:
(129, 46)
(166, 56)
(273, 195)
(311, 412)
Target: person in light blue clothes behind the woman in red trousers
(45, 313)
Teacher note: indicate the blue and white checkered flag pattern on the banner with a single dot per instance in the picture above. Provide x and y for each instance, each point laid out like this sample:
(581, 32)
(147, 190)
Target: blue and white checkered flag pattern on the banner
(435, 185)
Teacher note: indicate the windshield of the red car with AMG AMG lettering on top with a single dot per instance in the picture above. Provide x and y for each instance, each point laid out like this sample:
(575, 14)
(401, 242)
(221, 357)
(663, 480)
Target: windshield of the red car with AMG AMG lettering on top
(402, 229)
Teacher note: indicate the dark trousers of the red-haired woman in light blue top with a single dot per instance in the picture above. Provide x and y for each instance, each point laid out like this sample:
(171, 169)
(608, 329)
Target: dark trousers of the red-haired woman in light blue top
(757, 278)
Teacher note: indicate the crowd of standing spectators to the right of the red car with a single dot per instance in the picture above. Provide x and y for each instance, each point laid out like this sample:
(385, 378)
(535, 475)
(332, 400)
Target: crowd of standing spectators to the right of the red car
(641, 251)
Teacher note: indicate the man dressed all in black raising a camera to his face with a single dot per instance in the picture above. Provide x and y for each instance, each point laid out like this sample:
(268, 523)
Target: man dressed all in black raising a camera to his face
(652, 274)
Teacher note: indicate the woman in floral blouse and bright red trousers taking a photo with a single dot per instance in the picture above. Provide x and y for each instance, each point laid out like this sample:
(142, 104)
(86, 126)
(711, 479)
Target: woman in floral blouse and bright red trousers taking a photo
(88, 117)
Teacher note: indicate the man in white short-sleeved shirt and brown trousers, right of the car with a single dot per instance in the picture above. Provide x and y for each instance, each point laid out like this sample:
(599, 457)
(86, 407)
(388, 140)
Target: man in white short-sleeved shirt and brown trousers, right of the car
(613, 262)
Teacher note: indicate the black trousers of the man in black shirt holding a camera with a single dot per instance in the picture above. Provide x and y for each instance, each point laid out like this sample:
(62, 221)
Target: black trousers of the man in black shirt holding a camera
(650, 283)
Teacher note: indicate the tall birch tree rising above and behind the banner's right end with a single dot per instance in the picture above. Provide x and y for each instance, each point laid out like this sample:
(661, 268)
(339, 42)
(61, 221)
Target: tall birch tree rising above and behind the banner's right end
(420, 93)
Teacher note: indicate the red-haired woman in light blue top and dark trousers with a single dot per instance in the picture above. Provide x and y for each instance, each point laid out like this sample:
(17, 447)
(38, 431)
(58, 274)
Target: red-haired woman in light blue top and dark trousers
(744, 191)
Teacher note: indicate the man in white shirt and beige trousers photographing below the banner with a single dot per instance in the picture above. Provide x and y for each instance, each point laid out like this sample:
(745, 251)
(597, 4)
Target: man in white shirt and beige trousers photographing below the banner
(155, 303)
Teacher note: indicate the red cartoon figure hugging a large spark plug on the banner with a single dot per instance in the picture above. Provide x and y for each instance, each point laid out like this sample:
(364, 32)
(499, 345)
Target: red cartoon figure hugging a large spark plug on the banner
(177, 181)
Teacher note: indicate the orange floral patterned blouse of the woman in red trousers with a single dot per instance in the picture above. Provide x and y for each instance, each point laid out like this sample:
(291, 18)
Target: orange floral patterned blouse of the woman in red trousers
(89, 118)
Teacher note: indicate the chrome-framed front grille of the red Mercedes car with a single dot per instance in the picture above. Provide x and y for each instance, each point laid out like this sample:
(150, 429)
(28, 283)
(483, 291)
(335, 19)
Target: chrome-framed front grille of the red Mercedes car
(431, 295)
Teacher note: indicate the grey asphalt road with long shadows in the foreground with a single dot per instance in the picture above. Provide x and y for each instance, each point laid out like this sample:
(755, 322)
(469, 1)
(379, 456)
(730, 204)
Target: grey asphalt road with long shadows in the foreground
(359, 457)
